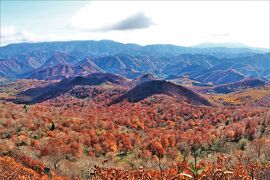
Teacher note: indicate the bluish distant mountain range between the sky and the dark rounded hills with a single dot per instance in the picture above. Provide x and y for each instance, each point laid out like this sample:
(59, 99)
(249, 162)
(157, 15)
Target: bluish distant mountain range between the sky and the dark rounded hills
(204, 63)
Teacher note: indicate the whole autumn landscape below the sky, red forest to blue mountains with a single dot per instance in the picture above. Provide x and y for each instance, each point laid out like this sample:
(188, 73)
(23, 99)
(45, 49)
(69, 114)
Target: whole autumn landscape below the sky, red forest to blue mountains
(130, 111)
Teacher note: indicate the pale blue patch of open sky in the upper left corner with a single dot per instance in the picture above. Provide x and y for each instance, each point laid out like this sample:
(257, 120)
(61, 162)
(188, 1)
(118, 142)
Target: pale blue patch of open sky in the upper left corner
(38, 16)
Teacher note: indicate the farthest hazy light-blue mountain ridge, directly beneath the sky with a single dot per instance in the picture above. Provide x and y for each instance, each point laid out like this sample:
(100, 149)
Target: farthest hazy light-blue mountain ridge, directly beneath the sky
(81, 49)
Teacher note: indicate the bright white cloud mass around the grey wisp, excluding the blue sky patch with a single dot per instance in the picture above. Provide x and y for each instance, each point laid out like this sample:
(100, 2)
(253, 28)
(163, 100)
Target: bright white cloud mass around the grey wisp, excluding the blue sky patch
(150, 22)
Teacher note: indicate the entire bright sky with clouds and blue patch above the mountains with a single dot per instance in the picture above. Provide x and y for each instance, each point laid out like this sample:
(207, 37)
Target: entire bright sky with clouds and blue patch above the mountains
(183, 23)
